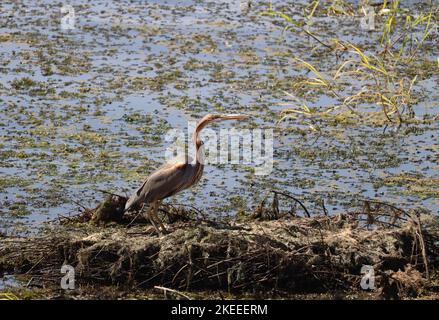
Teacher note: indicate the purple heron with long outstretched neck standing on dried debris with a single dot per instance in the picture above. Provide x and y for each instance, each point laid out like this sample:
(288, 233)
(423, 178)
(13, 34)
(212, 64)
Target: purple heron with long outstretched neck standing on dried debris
(174, 176)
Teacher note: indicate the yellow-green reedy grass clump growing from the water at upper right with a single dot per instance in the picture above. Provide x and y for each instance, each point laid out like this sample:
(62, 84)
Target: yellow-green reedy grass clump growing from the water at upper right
(386, 72)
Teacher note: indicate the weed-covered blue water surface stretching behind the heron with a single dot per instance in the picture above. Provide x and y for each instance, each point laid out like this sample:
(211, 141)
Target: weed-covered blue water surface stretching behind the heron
(164, 64)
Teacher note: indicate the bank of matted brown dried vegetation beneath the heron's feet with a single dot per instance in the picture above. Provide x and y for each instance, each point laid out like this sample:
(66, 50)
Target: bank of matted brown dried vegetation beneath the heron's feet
(289, 255)
